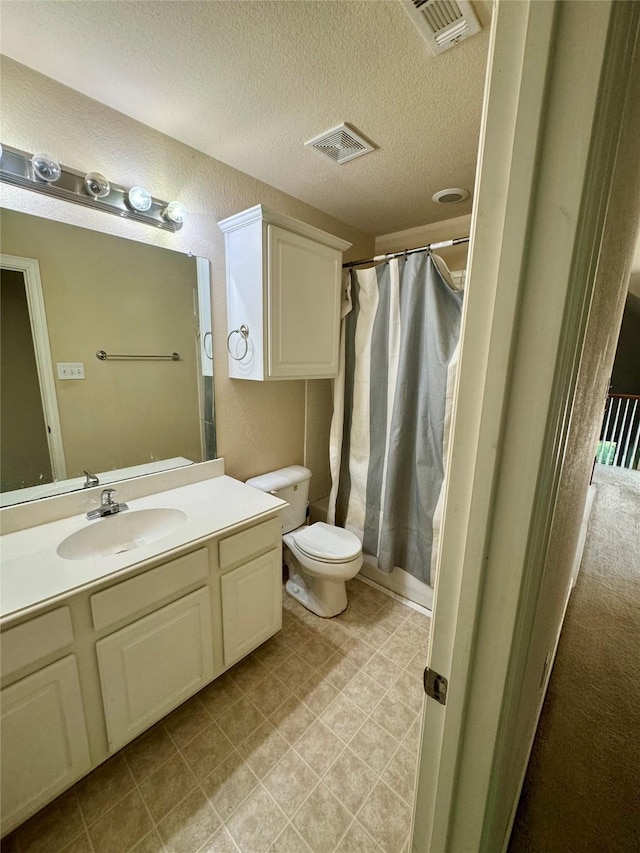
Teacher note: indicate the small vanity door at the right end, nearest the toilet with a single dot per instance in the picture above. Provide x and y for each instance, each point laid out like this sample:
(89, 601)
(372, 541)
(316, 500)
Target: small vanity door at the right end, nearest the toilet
(251, 605)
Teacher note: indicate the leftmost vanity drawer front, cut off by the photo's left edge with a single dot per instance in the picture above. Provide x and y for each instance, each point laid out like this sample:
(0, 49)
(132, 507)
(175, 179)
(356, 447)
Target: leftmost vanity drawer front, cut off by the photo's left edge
(38, 638)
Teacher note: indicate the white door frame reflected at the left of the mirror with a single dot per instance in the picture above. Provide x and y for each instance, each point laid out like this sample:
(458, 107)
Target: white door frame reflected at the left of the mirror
(30, 268)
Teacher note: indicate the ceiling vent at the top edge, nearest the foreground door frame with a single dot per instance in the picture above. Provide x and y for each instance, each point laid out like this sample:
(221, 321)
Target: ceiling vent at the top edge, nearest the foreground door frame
(443, 23)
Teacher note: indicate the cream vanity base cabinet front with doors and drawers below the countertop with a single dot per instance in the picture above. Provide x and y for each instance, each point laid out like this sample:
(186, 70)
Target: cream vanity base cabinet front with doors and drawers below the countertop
(85, 678)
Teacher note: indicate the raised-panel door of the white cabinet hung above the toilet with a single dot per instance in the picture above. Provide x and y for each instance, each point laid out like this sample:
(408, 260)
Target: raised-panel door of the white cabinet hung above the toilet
(304, 306)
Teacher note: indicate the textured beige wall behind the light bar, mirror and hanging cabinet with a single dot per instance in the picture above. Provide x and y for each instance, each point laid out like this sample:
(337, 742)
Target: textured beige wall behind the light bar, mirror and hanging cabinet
(260, 426)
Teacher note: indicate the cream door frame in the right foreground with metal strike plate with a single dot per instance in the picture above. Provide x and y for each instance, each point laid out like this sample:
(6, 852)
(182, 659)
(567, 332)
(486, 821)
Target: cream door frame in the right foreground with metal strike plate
(549, 142)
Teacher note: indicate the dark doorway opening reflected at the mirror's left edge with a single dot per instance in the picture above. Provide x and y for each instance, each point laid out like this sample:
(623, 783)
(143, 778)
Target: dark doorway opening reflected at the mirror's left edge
(25, 453)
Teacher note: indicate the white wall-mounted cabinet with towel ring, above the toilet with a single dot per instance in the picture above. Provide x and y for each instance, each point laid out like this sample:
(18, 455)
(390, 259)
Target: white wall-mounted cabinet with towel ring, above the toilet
(283, 297)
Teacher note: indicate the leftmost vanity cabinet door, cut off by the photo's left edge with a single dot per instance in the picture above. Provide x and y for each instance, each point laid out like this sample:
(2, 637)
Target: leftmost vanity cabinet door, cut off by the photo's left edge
(44, 739)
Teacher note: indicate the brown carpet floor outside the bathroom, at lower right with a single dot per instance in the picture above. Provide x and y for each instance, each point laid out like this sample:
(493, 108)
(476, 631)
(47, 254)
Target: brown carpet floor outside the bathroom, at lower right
(582, 788)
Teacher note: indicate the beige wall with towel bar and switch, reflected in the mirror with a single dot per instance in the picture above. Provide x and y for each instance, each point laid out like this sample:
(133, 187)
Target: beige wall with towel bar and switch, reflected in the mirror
(103, 292)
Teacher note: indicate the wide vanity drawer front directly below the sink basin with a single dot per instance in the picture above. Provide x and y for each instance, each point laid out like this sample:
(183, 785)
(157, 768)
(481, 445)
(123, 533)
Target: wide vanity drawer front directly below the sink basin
(147, 589)
